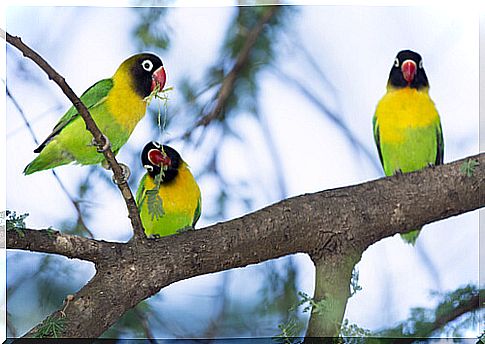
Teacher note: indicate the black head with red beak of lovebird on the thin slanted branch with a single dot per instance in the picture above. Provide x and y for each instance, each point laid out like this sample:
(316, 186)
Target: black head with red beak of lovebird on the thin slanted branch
(146, 72)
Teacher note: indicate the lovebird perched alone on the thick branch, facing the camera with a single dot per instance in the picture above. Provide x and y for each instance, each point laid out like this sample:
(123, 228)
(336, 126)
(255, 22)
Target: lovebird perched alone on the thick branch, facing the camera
(407, 127)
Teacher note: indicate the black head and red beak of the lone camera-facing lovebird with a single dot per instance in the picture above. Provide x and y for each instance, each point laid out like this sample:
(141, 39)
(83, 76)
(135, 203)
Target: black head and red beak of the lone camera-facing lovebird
(408, 71)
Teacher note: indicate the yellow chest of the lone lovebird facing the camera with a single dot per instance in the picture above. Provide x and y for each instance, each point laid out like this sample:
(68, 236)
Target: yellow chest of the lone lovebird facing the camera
(403, 109)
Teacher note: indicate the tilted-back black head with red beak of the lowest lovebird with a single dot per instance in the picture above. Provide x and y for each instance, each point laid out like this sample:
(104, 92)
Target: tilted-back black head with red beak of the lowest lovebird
(156, 157)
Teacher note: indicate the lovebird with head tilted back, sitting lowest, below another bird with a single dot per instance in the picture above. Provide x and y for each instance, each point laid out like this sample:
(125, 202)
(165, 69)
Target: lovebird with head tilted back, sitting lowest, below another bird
(168, 197)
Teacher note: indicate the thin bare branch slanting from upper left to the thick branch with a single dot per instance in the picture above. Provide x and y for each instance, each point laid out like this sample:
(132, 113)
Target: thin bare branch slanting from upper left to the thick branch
(91, 126)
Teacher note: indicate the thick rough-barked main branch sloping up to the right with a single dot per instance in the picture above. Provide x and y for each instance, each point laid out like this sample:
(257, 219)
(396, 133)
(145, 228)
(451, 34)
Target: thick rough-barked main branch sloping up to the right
(325, 224)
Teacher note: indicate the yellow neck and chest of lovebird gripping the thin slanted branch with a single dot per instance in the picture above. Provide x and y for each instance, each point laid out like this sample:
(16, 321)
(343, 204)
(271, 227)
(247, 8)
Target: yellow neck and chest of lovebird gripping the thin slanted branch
(127, 107)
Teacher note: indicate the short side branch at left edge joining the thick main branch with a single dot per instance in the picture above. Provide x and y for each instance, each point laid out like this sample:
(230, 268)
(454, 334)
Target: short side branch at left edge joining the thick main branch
(71, 246)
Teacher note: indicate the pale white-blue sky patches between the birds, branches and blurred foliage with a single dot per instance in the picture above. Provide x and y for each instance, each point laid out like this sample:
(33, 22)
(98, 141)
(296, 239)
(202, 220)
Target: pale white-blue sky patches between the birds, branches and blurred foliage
(354, 45)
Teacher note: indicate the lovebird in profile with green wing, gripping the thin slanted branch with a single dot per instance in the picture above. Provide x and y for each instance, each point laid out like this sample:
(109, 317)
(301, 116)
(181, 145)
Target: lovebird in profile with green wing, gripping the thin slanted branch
(116, 104)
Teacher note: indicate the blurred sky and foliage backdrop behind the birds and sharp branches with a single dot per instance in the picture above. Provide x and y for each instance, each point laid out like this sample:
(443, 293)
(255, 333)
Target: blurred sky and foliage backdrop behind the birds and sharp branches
(298, 119)
